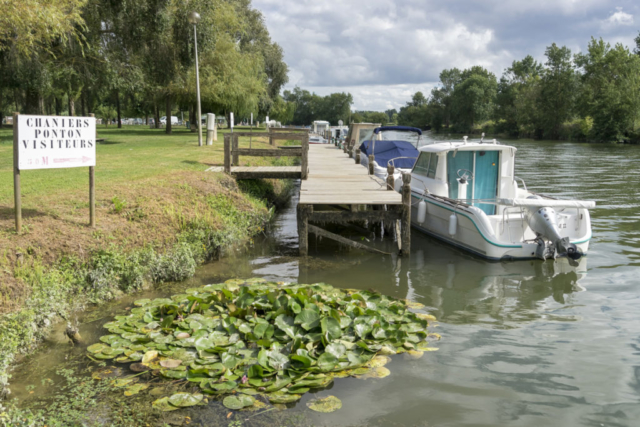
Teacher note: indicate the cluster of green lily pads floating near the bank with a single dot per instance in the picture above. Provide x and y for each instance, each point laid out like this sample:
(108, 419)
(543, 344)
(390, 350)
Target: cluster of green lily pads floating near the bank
(245, 338)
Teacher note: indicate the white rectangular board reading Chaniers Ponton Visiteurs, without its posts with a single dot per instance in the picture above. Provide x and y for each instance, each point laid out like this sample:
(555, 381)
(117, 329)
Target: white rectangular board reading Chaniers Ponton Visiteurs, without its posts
(50, 142)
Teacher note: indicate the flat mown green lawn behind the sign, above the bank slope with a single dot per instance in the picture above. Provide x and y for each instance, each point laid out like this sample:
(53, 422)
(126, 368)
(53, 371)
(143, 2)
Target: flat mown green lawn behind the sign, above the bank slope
(130, 154)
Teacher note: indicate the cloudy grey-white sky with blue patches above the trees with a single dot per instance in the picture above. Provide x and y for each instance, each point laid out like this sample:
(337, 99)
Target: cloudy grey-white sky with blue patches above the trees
(383, 51)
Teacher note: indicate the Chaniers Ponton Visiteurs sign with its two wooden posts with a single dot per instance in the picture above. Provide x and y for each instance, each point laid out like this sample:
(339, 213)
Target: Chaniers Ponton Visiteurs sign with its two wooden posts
(53, 142)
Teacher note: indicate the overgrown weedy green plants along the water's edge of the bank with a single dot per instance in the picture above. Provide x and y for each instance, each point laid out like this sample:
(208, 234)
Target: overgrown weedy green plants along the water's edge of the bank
(203, 224)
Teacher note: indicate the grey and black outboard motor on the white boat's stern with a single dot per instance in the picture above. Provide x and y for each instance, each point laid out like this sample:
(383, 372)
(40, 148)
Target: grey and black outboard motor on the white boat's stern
(544, 222)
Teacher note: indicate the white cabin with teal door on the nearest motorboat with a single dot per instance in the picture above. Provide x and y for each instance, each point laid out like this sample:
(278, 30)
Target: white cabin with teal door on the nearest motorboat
(467, 172)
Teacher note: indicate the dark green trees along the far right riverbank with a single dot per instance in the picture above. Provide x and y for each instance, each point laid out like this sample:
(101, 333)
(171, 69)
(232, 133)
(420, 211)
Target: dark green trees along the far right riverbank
(592, 96)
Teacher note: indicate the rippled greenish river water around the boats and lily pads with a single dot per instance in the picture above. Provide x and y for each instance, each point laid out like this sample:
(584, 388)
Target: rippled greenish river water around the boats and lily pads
(525, 343)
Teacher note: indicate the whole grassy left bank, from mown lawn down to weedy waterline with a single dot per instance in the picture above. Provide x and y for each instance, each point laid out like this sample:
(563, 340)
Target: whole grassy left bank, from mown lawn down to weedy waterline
(159, 216)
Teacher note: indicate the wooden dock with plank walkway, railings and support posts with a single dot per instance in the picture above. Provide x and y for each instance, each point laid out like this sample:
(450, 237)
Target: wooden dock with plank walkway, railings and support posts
(334, 188)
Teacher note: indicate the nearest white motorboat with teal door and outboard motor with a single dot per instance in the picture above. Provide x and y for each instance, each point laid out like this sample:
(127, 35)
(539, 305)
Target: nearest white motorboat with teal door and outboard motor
(466, 193)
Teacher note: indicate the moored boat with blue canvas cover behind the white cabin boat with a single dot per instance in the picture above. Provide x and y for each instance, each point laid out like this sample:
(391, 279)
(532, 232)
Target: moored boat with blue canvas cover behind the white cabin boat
(391, 145)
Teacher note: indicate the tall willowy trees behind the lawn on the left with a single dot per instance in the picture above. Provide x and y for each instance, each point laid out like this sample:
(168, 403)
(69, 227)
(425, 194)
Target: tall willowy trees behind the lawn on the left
(136, 58)
